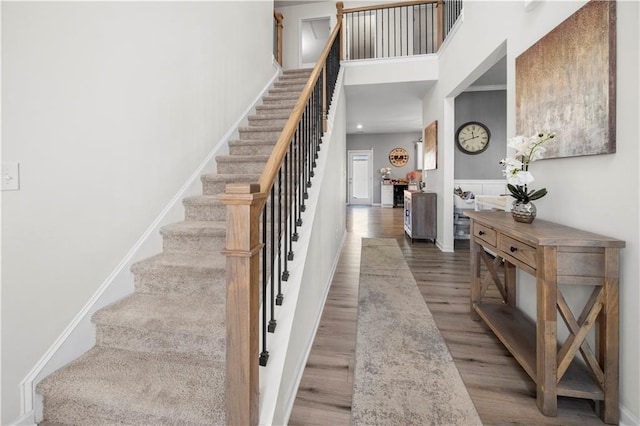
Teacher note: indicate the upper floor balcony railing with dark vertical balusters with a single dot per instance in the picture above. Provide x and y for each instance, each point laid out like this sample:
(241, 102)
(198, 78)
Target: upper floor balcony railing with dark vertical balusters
(398, 29)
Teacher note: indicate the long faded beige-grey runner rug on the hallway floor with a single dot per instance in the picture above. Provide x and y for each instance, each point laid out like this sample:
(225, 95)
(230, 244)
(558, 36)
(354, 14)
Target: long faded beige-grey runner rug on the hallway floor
(404, 373)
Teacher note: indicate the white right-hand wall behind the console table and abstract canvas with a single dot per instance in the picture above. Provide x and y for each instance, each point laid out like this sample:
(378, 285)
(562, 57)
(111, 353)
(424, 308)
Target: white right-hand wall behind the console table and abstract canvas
(596, 193)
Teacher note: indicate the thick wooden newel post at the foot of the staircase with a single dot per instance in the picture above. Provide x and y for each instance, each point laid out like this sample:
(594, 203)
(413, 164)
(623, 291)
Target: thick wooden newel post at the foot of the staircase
(244, 203)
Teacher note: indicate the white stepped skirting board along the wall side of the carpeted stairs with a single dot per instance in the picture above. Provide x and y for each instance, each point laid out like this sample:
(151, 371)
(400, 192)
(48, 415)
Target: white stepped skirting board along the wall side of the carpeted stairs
(79, 336)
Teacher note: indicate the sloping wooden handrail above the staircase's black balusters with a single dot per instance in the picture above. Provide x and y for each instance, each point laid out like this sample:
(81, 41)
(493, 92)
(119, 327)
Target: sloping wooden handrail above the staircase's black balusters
(268, 176)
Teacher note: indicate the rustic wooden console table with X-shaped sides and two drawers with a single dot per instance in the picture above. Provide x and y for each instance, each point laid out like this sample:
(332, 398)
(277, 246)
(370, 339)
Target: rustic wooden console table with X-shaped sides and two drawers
(554, 254)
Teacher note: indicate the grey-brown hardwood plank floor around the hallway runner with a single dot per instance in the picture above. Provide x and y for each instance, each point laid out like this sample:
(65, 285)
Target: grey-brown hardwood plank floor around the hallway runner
(501, 391)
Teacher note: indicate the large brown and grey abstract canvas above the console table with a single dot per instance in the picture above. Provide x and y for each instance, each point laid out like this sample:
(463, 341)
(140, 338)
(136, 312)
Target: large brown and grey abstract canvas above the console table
(566, 83)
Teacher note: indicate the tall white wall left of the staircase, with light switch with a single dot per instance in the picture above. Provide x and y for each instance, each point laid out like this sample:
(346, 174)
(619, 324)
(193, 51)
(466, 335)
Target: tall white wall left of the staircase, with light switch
(108, 107)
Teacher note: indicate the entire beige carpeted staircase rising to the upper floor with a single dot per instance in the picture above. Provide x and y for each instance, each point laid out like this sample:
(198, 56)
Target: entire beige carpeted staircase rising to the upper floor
(159, 356)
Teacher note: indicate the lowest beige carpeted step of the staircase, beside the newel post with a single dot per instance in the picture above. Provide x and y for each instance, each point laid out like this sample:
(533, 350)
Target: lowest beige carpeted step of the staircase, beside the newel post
(113, 386)
